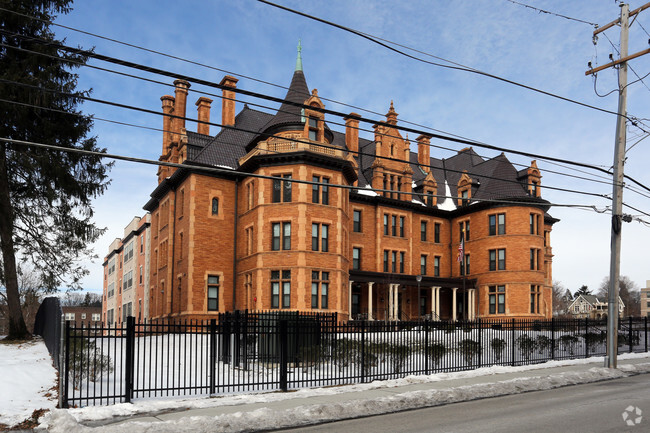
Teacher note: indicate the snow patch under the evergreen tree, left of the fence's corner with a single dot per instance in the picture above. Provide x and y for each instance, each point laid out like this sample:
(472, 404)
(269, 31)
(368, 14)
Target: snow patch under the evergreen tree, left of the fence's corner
(26, 382)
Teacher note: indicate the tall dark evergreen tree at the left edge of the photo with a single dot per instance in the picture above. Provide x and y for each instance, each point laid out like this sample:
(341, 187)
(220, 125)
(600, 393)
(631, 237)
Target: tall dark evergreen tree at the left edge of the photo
(45, 195)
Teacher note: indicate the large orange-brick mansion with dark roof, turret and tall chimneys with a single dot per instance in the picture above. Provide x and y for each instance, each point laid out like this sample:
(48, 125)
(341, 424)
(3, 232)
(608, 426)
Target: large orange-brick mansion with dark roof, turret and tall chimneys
(385, 247)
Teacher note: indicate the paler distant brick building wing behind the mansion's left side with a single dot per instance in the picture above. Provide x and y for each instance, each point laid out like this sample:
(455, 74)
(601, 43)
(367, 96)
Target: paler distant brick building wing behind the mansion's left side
(126, 273)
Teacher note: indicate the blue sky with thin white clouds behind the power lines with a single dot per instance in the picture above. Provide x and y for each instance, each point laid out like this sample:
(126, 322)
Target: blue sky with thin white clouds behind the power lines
(248, 38)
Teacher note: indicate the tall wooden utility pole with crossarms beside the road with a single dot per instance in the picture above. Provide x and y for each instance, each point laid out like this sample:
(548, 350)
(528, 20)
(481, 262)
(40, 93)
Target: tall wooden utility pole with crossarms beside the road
(617, 196)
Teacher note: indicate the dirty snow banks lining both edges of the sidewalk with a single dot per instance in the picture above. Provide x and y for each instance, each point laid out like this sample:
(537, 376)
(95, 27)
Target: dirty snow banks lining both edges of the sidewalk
(71, 421)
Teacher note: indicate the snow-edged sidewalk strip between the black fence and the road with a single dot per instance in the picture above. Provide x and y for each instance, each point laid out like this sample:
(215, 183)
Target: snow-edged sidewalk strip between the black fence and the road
(264, 412)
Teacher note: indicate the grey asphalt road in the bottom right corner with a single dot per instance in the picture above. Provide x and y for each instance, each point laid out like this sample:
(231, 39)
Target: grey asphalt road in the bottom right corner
(595, 407)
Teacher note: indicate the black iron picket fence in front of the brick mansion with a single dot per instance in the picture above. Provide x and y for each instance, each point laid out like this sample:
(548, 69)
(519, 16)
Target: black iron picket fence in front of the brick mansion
(262, 351)
